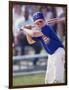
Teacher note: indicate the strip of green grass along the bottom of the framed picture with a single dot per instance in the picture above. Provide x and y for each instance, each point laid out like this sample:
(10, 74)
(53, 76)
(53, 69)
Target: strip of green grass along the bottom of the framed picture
(34, 79)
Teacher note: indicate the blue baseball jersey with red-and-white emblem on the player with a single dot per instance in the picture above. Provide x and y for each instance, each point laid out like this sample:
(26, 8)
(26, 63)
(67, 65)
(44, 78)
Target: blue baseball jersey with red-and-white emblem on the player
(49, 39)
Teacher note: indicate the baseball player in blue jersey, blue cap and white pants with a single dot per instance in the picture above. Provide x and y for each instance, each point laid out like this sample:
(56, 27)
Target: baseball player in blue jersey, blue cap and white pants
(53, 46)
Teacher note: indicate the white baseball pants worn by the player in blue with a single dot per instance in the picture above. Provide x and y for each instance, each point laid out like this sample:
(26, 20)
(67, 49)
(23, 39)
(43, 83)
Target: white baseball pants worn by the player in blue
(55, 67)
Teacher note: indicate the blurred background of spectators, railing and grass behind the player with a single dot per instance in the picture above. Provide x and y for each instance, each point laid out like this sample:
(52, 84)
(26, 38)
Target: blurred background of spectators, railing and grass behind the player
(30, 61)
